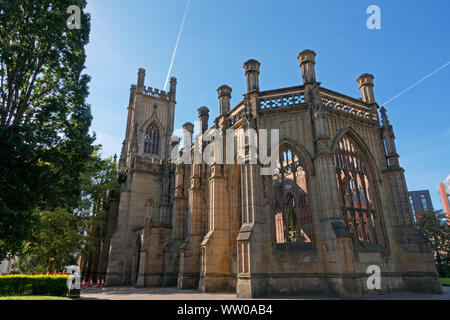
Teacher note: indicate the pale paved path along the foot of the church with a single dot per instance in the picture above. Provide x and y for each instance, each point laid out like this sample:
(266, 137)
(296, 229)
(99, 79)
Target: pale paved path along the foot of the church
(130, 293)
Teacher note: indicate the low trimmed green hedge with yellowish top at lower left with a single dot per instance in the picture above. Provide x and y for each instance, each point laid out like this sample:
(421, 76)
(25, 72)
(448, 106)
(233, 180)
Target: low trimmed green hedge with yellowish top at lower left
(42, 285)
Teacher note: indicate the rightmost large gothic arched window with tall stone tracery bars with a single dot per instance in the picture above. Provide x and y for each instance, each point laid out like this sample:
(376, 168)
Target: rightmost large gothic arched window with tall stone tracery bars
(356, 187)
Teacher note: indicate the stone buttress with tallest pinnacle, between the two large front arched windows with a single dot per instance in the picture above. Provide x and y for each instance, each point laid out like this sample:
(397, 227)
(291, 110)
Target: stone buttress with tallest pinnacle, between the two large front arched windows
(332, 237)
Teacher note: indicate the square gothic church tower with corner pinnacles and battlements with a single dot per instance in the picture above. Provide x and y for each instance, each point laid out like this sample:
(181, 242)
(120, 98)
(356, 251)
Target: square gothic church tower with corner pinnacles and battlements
(145, 176)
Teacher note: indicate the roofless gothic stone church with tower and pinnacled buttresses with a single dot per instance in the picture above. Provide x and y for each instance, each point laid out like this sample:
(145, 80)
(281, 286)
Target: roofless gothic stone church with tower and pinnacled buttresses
(336, 203)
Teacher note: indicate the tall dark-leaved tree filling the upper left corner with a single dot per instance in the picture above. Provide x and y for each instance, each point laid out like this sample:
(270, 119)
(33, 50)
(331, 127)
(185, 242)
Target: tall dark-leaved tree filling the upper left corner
(44, 117)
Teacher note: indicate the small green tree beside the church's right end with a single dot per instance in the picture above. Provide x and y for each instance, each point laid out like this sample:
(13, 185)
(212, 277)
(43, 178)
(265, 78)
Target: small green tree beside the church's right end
(434, 225)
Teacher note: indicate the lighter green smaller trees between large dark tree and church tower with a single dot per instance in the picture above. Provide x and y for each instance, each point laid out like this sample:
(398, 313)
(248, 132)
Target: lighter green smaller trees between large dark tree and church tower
(60, 236)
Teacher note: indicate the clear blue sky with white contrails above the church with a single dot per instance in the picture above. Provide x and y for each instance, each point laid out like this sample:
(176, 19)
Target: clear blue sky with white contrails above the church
(219, 36)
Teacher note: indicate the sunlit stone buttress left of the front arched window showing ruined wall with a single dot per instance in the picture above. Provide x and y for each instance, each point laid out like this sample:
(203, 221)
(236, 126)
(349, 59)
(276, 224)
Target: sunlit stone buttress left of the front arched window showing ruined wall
(254, 241)
